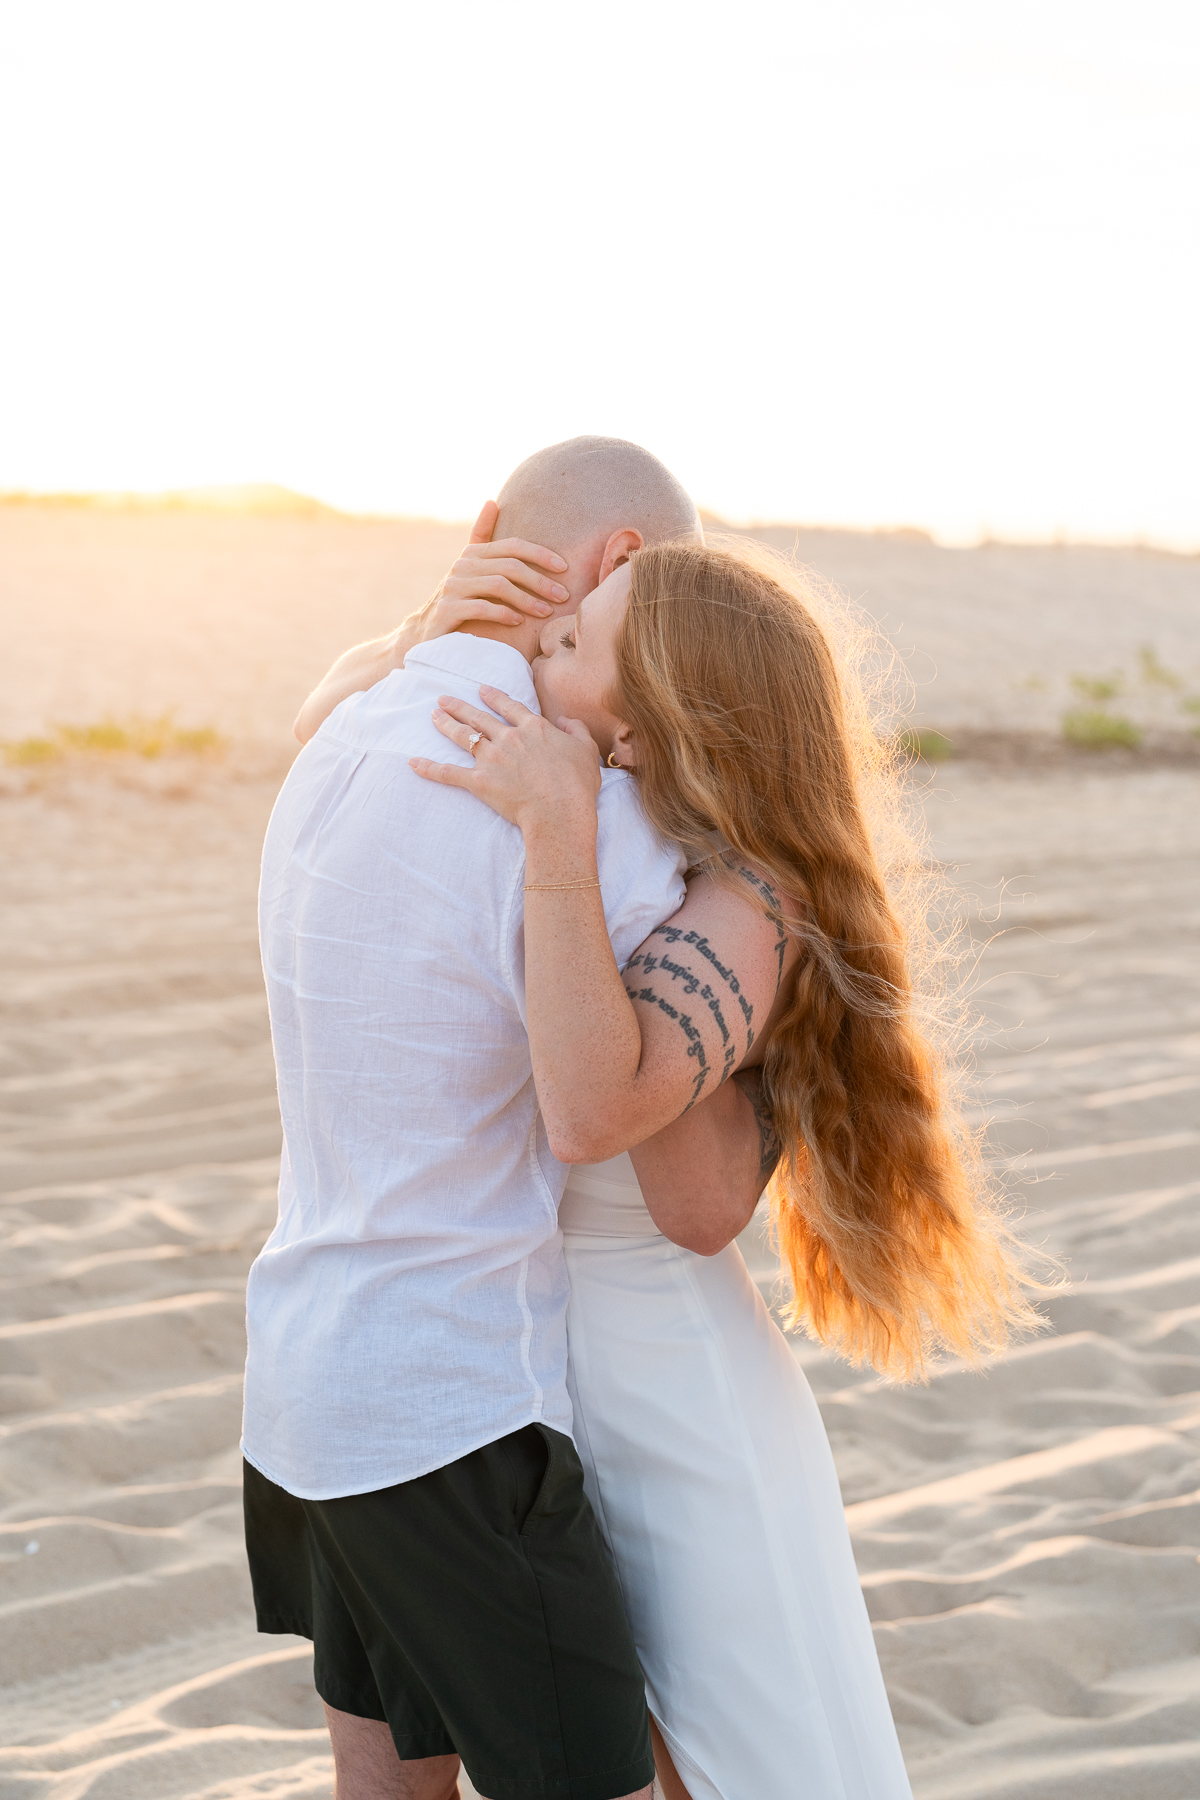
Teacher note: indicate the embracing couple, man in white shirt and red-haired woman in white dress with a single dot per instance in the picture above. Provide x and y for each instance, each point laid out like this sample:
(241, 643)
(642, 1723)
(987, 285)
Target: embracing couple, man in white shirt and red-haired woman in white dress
(575, 940)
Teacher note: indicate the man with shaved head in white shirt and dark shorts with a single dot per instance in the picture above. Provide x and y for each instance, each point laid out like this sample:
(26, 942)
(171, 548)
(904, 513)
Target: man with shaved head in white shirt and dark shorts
(415, 1502)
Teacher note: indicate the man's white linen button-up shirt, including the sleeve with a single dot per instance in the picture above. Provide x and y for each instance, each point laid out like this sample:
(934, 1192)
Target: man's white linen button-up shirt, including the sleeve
(411, 1302)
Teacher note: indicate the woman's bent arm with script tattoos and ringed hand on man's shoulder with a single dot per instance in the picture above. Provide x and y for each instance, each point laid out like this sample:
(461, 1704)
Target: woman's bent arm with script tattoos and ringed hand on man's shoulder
(614, 1057)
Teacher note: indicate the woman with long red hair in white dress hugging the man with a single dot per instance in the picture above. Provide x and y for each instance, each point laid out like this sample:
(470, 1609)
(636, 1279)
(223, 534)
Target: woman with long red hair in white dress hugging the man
(706, 676)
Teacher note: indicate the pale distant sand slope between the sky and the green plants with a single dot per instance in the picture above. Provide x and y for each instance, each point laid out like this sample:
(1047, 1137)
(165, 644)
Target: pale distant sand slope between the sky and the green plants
(229, 618)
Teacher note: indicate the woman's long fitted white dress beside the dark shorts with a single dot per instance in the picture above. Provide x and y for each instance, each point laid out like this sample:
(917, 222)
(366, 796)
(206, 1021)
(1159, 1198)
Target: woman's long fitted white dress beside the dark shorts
(713, 1480)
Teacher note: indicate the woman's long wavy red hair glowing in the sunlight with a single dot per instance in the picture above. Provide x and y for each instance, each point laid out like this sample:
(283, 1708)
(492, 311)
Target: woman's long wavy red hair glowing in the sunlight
(755, 730)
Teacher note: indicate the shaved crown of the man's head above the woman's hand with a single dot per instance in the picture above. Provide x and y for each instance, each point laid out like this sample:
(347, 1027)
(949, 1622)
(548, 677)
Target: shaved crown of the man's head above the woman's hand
(587, 489)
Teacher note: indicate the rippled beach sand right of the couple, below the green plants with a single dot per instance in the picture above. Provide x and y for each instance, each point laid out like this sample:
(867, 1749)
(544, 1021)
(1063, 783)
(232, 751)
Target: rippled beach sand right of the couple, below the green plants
(1028, 1538)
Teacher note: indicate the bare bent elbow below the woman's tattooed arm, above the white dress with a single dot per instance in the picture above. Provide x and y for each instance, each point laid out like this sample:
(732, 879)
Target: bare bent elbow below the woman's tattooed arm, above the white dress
(704, 1174)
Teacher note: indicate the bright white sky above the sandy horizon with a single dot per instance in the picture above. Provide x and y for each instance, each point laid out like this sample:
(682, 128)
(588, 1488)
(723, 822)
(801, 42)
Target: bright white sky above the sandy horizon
(924, 264)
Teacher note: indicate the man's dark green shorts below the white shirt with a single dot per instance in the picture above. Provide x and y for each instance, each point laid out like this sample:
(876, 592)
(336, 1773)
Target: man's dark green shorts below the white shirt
(476, 1610)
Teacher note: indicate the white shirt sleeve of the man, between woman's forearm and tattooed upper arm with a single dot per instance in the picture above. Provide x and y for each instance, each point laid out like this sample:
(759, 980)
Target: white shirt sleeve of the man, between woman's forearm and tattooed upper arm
(641, 874)
